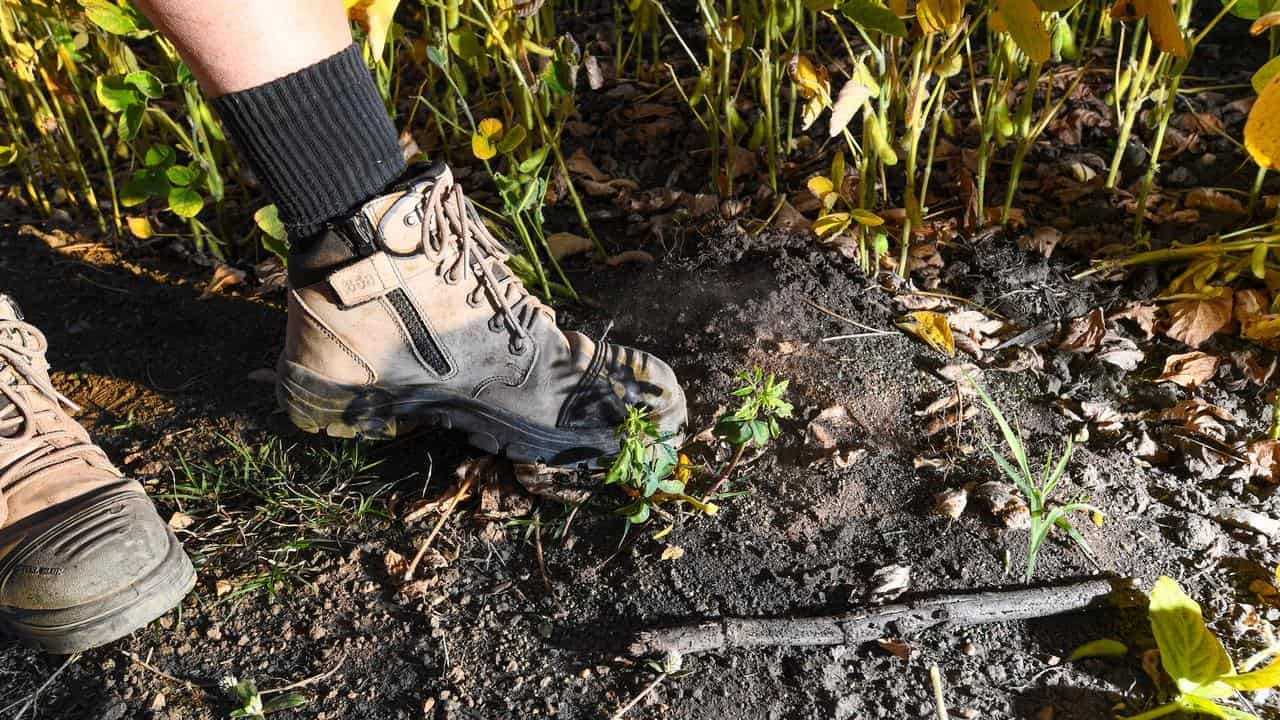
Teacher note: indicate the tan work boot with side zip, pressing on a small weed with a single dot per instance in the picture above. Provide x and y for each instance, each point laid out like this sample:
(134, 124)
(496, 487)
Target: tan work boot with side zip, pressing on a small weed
(406, 313)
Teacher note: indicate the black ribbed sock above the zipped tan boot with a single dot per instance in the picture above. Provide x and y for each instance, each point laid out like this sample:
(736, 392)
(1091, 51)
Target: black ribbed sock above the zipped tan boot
(319, 140)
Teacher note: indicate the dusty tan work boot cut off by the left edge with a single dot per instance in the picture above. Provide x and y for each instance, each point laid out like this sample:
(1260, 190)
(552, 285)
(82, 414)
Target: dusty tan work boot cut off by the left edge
(84, 557)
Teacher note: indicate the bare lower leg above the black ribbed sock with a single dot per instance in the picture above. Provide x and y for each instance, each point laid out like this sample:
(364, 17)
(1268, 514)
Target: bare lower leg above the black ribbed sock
(235, 45)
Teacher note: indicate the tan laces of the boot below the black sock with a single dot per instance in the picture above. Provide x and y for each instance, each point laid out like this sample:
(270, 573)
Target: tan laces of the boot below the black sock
(450, 220)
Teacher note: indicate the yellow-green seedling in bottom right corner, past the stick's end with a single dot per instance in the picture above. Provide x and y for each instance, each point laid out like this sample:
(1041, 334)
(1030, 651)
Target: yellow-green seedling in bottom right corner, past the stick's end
(1196, 662)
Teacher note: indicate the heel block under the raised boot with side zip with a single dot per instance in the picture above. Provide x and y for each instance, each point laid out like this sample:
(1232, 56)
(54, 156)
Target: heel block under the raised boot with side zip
(317, 404)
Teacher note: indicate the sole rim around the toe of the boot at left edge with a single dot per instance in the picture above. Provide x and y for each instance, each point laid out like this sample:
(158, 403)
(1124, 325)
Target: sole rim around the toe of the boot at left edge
(112, 618)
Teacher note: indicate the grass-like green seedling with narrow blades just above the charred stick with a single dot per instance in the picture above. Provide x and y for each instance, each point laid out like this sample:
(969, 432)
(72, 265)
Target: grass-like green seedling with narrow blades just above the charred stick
(1046, 516)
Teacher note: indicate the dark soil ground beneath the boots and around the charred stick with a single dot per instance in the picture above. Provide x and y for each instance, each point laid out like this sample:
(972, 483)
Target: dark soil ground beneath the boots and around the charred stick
(294, 534)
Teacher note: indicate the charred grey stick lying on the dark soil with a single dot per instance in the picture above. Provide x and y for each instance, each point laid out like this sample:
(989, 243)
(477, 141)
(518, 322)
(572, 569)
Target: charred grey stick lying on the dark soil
(865, 626)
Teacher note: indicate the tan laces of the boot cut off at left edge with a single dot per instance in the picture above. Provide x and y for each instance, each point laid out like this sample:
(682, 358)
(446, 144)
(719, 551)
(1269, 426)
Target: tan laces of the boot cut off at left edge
(21, 344)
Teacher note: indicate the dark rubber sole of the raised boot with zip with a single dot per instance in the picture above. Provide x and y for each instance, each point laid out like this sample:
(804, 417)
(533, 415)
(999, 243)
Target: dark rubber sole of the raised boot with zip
(317, 404)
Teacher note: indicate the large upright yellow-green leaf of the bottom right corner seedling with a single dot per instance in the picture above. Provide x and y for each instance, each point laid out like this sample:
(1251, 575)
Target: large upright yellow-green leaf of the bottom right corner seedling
(1191, 654)
